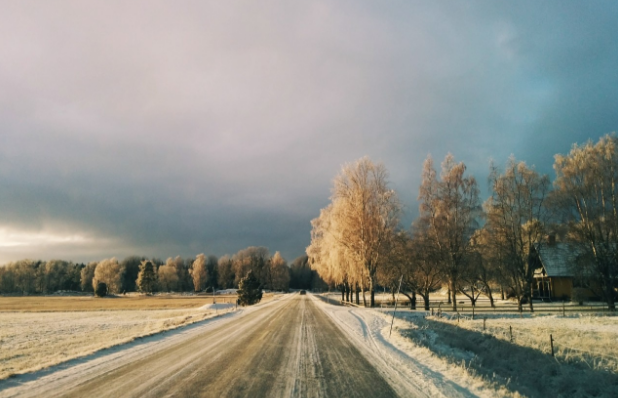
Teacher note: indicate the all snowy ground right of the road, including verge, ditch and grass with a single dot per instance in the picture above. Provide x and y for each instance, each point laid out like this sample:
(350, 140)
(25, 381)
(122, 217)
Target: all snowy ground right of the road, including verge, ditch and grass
(451, 358)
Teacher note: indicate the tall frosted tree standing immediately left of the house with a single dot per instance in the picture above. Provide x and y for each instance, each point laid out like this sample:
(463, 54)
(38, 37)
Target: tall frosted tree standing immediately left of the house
(516, 217)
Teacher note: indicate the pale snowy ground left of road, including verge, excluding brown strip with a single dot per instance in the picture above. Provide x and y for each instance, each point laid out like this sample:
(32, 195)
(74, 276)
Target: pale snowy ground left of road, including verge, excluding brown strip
(67, 344)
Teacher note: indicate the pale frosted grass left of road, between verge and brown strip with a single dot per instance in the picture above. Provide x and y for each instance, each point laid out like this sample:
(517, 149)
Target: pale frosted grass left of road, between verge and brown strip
(31, 341)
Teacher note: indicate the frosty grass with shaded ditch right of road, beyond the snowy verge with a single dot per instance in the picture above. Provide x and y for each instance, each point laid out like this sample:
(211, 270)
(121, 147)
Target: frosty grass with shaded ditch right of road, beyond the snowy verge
(585, 351)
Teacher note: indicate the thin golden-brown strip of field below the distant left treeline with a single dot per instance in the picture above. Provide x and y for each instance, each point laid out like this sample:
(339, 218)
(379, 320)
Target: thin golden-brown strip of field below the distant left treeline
(111, 303)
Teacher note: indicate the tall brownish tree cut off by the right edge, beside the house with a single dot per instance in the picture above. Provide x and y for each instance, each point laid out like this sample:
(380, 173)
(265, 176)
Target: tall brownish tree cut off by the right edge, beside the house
(587, 193)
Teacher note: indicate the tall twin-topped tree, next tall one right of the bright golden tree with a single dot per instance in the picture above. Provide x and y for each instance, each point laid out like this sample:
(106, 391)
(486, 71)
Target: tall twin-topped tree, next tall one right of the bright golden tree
(449, 206)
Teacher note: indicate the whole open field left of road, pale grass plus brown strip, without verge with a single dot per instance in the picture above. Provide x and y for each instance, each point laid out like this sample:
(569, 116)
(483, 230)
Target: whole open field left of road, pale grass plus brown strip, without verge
(41, 331)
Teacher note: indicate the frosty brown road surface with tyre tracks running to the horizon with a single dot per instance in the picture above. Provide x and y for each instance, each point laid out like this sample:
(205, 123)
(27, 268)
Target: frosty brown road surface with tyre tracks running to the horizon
(287, 348)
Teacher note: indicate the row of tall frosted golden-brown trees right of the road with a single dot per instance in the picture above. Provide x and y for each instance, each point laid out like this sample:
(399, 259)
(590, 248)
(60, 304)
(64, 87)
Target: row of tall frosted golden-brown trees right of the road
(471, 247)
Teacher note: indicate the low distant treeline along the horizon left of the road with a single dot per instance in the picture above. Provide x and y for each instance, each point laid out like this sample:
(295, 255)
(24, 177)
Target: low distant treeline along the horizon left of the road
(134, 273)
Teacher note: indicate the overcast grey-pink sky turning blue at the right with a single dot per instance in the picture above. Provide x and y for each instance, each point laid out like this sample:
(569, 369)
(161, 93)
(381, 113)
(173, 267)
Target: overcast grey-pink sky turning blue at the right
(176, 128)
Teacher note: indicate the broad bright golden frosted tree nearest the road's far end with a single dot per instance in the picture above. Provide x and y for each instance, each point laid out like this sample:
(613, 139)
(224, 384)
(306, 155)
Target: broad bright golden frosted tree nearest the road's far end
(361, 225)
